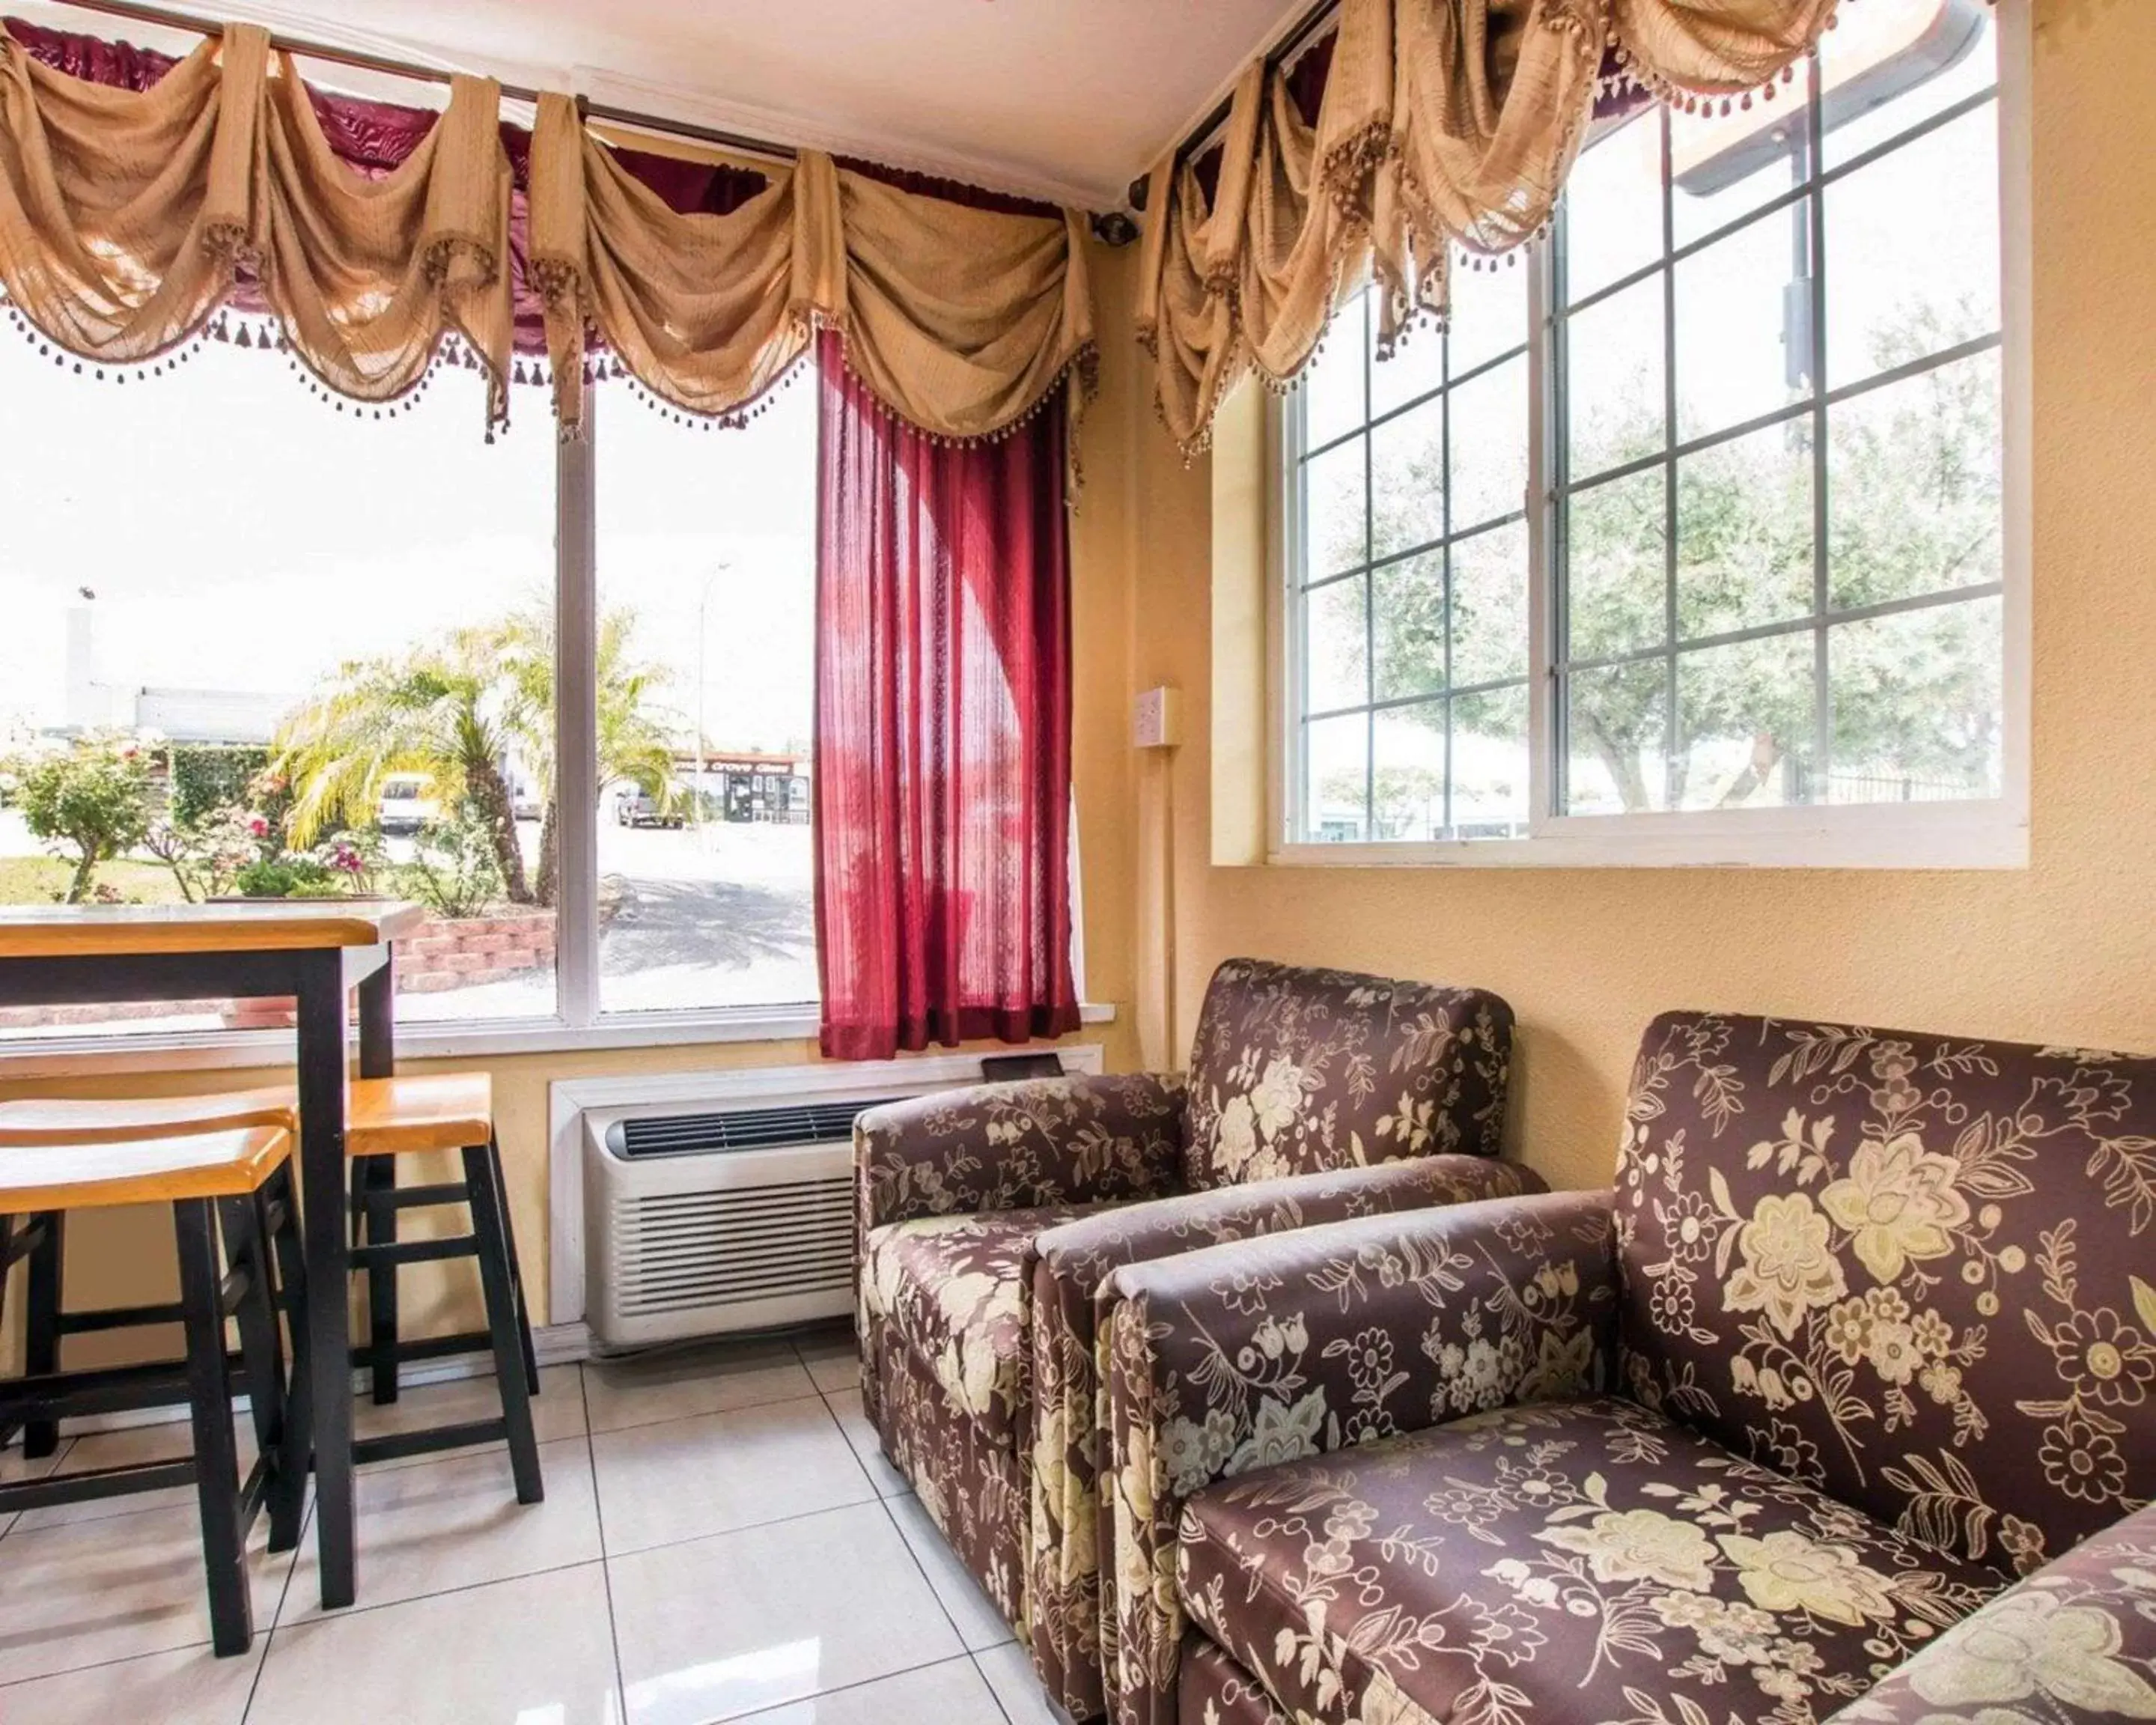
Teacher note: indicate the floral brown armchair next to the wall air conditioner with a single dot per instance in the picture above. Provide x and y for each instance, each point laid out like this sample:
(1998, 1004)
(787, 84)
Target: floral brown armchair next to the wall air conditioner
(993, 1219)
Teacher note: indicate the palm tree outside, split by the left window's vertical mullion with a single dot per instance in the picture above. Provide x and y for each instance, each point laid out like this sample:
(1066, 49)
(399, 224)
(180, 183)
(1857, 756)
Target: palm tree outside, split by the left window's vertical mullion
(633, 745)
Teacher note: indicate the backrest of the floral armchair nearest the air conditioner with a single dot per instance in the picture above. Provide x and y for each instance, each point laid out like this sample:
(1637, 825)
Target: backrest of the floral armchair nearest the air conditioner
(1303, 1071)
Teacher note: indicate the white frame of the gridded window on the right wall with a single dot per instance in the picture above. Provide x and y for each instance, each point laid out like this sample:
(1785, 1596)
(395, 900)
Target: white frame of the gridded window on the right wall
(1991, 833)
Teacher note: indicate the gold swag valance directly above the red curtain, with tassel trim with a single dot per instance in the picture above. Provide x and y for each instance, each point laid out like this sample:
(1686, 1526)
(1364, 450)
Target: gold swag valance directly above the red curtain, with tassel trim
(958, 320)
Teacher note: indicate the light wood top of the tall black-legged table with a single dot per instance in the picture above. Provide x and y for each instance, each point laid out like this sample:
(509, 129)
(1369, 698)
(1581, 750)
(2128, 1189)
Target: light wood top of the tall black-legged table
(100, 930)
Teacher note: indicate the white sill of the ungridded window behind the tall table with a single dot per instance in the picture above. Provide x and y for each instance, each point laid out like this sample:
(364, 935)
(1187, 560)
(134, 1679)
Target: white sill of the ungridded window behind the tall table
(210, 1051)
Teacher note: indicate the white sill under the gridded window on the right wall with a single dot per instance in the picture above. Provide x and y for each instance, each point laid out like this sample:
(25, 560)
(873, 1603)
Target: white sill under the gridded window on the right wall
(1970, 836)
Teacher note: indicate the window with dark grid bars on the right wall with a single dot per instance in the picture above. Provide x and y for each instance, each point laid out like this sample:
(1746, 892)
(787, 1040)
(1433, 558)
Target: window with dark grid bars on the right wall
(1765, 590)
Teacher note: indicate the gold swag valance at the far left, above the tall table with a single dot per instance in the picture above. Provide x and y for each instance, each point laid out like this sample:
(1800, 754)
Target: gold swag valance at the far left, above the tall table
(126, 219)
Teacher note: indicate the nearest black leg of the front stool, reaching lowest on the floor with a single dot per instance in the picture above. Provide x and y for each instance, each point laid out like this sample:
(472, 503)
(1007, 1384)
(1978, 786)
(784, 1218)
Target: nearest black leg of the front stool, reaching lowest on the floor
(210, 1403)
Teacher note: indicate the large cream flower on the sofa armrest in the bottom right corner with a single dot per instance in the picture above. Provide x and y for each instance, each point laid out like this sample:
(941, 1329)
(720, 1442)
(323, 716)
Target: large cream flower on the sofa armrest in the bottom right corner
(2034, 1644)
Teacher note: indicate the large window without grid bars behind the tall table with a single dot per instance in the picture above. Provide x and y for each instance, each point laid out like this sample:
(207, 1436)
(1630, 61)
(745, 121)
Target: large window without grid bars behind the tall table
(312, 644)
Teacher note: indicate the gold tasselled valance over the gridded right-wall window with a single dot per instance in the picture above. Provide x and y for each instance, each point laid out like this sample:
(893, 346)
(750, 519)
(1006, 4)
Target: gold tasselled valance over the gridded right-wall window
(1443, 124)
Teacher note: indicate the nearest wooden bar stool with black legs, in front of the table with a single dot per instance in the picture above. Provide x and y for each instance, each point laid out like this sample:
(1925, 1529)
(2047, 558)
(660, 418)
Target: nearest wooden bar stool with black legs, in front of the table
(236, 1181)
